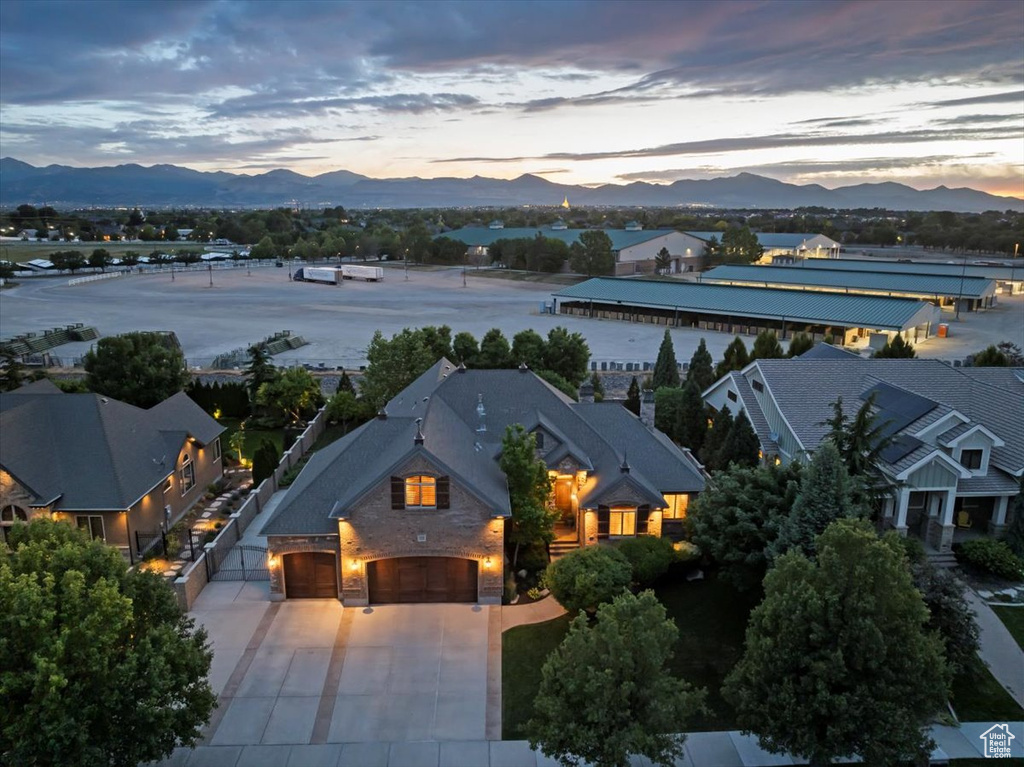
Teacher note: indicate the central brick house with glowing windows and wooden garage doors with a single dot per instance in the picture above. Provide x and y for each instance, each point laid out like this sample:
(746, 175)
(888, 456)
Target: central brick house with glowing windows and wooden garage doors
(411, 507)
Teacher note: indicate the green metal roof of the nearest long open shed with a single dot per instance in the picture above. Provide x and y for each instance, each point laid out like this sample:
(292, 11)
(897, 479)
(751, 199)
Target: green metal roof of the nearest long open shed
(878, 313)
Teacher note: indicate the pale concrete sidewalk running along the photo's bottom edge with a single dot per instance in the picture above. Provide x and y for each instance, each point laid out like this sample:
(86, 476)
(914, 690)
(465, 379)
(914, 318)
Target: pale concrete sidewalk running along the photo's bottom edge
(702, 750)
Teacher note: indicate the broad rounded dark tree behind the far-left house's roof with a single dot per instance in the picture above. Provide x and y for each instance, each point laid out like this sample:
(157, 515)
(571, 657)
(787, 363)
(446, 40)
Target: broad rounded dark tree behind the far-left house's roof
(142, 369)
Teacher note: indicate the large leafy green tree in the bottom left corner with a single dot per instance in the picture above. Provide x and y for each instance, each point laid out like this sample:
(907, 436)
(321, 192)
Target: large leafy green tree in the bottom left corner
(98, 664)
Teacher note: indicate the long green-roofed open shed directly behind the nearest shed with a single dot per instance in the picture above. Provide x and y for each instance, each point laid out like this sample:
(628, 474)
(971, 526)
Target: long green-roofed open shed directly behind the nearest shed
(974, 293)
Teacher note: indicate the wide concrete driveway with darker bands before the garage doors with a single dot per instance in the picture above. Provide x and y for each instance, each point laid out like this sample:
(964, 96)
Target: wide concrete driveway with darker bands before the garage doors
(311, 672)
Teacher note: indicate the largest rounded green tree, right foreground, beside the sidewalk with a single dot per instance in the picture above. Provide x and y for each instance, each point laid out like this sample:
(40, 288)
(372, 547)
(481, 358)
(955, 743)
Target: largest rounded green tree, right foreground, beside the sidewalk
(839, 661)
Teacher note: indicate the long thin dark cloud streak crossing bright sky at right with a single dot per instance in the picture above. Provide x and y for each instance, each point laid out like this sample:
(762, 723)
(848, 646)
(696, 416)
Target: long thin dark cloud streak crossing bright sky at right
(779, 141)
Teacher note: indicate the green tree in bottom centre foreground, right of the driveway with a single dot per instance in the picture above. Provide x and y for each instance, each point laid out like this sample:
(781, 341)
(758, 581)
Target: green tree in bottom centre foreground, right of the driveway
(608, 694)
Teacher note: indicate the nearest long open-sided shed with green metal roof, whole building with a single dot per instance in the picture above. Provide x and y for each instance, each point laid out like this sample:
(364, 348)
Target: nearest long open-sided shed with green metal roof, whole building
(748, 311)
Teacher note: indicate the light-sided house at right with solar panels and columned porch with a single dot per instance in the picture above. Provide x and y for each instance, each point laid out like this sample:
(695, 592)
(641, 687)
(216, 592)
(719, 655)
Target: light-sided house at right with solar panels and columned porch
(959, 452)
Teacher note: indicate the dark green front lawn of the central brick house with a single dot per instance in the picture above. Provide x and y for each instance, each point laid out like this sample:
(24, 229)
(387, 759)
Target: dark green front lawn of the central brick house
(712, 620)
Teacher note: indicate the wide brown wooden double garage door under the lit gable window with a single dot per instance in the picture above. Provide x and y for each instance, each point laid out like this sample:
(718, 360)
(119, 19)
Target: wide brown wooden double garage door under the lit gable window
(422, 580)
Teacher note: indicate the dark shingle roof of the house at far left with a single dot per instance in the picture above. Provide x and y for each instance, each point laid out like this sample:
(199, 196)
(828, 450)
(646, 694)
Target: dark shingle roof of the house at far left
(94, 452)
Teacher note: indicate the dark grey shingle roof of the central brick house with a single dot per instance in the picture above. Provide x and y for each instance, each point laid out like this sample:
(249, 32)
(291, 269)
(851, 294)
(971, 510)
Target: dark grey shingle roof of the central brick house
(447, 401)
